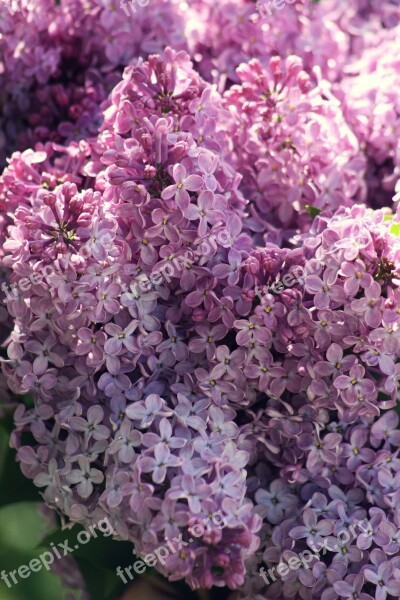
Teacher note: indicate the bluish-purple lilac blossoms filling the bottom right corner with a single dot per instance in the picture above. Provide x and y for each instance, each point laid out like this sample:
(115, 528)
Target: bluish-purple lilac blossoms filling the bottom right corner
(351, 477)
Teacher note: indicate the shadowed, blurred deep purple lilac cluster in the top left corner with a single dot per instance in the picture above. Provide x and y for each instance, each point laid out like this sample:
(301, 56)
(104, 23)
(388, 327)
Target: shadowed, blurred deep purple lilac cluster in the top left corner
(54, 76)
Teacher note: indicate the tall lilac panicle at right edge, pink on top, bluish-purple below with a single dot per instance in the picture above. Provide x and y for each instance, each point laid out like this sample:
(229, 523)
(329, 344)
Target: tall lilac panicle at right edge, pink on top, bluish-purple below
(321, 442)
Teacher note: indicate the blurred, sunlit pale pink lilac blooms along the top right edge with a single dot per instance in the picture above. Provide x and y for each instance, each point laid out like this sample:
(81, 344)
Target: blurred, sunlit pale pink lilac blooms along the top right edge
(325, 35)
